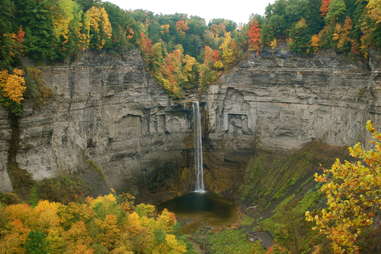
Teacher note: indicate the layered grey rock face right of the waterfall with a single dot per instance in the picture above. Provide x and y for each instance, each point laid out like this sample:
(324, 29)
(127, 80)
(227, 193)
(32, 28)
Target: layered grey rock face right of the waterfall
(279, 101)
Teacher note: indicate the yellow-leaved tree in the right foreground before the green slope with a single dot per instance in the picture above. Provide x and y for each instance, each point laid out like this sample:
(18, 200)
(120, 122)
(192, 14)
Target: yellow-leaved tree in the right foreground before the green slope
(353, 192)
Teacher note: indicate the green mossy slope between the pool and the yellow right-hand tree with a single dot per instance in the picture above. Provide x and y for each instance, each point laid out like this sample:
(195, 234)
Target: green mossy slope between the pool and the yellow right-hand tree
(281, 184)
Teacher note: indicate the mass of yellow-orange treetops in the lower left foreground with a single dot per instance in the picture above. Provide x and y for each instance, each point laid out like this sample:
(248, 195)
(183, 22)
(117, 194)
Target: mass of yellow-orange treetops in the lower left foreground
(79, 227)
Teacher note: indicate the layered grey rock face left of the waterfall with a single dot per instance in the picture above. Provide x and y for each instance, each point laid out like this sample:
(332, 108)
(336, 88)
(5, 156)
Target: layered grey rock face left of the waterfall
(106, 114)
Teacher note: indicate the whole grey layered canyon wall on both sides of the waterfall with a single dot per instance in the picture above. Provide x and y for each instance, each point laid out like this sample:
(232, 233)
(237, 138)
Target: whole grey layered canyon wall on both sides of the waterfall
(108, 114)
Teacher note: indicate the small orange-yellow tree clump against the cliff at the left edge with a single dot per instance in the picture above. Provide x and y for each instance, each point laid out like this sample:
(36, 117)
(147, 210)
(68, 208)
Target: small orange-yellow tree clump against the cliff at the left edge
(12, 86)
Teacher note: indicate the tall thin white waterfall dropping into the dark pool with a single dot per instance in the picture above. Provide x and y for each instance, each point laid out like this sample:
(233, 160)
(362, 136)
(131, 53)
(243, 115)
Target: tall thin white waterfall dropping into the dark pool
(198, 160)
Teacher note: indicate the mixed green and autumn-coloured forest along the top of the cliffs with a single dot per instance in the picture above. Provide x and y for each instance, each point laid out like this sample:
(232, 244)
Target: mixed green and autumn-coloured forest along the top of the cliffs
(181, 52)
